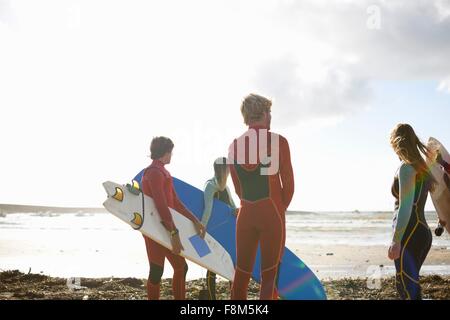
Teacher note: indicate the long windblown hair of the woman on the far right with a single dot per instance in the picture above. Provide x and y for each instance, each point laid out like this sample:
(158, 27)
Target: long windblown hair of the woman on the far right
(409, 148)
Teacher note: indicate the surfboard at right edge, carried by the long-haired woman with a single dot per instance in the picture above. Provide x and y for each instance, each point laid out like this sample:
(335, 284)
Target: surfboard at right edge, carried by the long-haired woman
(441, 194)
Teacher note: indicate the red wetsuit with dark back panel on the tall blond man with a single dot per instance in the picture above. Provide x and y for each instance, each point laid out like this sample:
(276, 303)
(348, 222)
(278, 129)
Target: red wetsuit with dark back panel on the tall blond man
(261, 218)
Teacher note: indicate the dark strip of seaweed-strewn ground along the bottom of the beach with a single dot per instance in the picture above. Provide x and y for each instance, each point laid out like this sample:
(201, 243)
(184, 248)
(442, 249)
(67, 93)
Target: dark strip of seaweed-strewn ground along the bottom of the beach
(19, 286)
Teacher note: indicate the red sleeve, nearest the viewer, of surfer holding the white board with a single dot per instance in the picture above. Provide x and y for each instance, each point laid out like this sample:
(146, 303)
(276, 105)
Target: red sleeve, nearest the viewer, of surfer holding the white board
(156, 180)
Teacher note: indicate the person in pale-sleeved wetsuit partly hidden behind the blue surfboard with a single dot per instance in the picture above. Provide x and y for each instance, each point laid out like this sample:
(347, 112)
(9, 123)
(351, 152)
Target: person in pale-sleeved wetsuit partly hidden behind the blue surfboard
(215, 188)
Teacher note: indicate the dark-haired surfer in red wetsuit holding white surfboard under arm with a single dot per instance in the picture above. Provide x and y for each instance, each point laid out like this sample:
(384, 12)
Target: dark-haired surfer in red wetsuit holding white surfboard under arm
(157, 183)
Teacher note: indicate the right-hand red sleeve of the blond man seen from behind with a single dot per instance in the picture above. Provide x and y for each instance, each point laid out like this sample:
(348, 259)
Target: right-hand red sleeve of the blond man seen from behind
(286, 172)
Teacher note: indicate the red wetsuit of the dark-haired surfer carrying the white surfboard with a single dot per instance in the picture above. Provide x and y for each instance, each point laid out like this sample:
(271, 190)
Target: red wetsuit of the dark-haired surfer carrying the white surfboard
(158, 184)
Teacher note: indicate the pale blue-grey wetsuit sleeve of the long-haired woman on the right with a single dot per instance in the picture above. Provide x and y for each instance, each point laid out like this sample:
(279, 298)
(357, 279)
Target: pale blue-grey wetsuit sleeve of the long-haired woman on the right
(407, 187)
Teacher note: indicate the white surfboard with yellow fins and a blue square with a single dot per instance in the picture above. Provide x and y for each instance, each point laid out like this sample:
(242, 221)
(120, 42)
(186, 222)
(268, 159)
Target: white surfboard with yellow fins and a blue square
(126, 203)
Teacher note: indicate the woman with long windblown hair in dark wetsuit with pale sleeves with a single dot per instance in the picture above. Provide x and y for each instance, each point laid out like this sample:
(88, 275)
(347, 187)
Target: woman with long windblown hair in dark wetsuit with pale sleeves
(412, 237)
